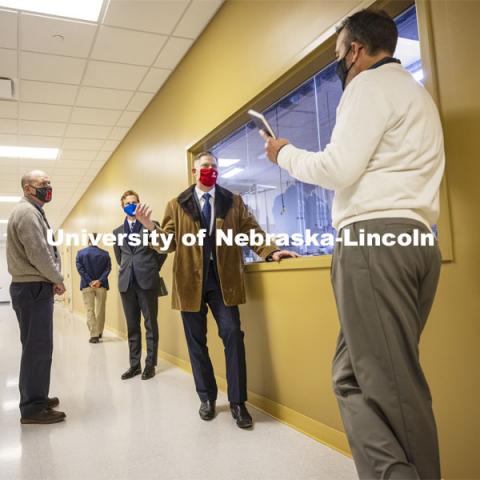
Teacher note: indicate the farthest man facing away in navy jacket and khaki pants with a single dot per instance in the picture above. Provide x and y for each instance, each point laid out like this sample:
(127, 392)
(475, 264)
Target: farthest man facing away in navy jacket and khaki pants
(94, 265)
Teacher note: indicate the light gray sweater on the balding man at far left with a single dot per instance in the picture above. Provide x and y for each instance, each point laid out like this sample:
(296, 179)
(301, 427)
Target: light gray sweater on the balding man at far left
(29, 256)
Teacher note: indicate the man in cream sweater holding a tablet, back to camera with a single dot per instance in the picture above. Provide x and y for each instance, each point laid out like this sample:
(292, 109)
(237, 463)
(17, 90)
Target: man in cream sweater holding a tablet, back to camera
(385, 162)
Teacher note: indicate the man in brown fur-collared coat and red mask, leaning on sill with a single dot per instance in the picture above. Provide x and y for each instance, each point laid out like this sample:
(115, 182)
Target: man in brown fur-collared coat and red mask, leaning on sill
(211, 275)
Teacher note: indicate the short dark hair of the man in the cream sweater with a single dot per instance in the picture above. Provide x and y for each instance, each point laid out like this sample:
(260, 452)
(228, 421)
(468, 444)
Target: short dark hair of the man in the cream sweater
(374, 29)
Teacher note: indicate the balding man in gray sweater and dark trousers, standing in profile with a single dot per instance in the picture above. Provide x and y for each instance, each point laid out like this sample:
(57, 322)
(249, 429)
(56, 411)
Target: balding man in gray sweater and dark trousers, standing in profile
(35, 269)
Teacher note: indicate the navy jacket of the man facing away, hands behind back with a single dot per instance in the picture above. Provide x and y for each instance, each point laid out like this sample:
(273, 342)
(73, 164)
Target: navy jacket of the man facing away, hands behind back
(93, 263)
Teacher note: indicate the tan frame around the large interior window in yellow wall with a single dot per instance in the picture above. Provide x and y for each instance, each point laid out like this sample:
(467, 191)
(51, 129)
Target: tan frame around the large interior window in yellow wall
(314, 58)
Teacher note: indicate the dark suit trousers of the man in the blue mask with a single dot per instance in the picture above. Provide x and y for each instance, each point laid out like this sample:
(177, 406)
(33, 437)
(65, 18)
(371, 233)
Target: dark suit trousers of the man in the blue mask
(137, 301)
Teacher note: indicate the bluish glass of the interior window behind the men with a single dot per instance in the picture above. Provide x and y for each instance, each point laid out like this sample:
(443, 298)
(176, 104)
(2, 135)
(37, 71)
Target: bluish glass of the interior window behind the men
(306, 116)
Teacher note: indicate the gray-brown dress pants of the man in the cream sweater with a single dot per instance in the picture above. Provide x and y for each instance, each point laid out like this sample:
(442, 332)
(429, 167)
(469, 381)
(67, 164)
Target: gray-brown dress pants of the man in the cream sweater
(384, 295)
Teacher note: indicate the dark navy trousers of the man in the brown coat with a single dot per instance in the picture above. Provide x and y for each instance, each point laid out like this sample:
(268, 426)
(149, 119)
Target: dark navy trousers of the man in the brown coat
(228, 322)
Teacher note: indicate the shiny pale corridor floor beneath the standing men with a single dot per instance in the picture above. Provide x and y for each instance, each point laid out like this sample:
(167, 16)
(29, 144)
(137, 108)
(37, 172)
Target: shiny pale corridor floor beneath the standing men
(139, 429)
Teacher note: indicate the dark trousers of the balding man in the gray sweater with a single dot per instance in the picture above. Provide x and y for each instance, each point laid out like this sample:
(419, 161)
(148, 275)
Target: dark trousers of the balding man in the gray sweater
(33, 305)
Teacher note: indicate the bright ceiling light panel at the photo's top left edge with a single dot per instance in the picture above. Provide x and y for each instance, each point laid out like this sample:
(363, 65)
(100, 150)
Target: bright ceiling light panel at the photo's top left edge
(79, 9)
